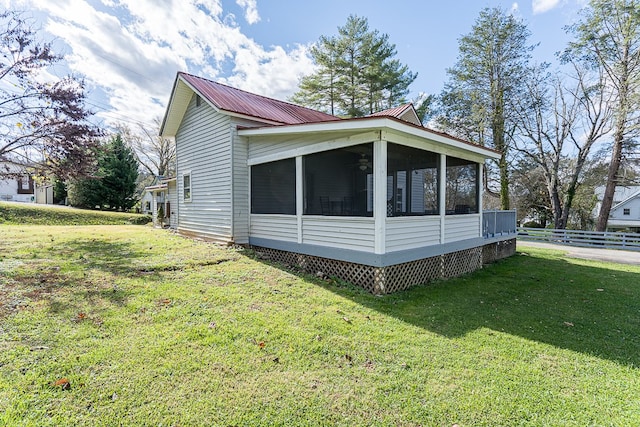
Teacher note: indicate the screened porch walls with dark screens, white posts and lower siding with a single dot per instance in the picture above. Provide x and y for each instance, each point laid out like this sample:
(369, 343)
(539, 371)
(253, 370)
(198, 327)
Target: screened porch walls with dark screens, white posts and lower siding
(329, 198)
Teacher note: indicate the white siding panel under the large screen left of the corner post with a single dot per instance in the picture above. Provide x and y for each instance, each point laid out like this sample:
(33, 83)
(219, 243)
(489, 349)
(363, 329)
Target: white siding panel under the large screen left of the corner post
(339, 232)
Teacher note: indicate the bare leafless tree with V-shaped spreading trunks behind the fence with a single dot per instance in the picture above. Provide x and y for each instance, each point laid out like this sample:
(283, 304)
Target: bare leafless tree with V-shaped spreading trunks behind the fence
(559, 127)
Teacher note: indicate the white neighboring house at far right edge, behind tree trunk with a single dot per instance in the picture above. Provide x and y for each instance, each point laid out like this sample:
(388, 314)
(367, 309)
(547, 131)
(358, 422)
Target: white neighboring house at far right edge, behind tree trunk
(625, 210)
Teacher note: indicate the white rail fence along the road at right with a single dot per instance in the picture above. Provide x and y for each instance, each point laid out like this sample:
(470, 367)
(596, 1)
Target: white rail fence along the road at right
(594, 239)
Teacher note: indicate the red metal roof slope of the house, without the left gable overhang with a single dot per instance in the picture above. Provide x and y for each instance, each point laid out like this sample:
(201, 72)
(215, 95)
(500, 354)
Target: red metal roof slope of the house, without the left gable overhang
(238, 101)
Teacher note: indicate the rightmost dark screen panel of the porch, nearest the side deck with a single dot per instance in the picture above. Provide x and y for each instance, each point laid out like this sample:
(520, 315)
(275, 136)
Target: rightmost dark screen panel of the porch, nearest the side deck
(461, 187)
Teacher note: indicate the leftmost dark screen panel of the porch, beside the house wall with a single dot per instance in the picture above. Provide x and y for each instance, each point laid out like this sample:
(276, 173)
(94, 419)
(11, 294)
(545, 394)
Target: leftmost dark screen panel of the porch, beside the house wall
(273, 187)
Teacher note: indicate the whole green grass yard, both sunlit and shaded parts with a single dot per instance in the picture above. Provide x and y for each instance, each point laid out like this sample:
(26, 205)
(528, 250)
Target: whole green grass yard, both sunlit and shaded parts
(132, 326)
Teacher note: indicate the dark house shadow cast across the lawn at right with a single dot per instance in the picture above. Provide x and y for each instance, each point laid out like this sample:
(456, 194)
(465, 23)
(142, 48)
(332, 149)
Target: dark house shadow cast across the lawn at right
(587, 309)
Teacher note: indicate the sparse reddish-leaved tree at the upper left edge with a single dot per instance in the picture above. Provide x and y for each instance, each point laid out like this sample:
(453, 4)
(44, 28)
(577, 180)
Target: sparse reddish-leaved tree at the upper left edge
(43, 122)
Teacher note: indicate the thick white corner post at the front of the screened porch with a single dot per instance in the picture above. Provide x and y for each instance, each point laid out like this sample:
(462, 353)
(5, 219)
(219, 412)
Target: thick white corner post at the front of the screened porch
(380, 195)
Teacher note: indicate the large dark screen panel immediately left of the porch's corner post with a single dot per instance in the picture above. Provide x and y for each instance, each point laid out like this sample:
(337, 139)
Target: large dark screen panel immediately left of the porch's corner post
(339, 182)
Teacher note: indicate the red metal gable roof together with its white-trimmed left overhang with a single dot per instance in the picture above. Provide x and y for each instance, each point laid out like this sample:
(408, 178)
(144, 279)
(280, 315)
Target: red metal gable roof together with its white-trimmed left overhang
(238, 102)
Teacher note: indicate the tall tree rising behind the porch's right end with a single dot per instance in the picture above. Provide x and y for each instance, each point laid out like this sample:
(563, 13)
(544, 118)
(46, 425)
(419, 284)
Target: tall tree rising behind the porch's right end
(487, 77)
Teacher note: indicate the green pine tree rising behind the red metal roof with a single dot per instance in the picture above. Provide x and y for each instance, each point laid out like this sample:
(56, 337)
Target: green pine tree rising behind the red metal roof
(356, 73)
